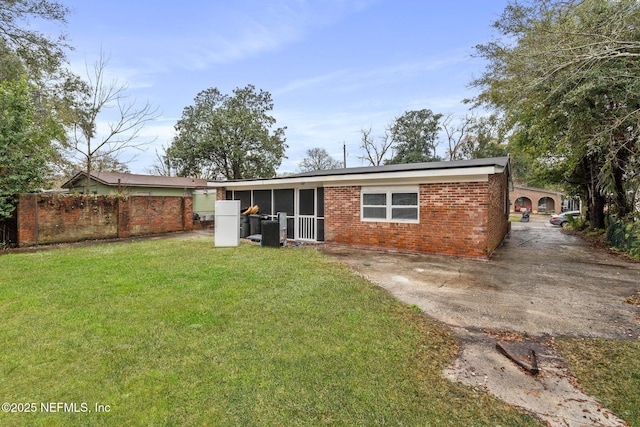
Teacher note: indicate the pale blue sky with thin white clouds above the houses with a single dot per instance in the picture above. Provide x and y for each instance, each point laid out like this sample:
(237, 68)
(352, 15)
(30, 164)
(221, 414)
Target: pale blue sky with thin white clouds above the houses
(333, 67)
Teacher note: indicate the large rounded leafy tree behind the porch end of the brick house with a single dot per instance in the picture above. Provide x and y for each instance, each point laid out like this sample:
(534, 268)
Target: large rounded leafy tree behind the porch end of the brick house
(228, 136)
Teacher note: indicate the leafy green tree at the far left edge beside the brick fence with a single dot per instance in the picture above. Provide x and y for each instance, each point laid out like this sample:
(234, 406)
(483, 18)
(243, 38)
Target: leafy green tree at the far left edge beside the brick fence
(25, 145)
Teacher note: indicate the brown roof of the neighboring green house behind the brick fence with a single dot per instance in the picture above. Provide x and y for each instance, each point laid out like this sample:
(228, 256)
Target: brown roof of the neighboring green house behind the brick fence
(130, 179)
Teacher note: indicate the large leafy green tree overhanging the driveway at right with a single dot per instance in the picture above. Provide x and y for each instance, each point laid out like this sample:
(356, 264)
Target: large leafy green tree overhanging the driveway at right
(565, 78)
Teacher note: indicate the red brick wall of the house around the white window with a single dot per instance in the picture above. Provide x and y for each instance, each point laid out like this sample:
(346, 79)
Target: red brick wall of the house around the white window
(459, 219)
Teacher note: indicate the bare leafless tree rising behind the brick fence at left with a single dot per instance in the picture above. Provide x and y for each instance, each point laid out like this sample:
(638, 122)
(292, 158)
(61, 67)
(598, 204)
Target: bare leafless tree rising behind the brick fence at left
(122, 132)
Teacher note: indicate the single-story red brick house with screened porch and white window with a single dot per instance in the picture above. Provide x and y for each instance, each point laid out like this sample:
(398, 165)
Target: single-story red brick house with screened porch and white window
(457, 208)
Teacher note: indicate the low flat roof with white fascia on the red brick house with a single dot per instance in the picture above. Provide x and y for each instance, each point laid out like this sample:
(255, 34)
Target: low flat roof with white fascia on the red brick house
(399, 172)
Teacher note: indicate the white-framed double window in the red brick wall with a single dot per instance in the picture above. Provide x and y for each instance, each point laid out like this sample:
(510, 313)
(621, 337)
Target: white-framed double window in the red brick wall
(393, 204)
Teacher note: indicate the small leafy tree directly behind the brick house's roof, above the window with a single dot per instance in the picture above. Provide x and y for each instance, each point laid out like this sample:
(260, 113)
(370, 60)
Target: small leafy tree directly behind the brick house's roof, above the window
(415, 137)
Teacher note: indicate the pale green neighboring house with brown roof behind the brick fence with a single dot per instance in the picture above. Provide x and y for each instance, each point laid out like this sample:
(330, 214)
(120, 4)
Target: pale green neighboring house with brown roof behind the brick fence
(146, 185)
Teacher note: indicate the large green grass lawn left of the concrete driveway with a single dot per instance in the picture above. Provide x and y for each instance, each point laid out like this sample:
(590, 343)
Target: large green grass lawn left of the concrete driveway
(176, 332)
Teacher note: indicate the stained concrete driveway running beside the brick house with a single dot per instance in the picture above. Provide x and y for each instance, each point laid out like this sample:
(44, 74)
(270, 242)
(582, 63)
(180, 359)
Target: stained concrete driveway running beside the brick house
(542, 283)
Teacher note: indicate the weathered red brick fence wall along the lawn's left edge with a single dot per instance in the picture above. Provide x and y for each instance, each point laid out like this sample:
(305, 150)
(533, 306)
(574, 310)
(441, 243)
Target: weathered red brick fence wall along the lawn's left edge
(47, 219)
